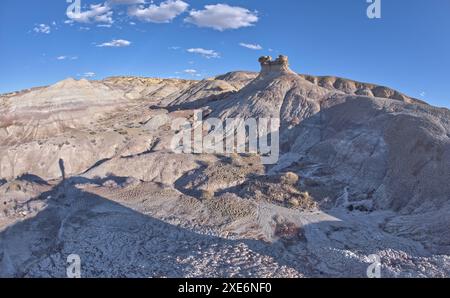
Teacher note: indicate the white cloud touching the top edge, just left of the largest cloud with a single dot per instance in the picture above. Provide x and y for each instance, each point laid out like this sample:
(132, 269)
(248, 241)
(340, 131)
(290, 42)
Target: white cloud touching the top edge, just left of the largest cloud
(164, 13)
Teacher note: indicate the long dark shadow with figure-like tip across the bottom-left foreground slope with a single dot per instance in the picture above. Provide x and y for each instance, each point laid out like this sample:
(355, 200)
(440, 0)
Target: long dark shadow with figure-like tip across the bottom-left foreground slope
(112, 240)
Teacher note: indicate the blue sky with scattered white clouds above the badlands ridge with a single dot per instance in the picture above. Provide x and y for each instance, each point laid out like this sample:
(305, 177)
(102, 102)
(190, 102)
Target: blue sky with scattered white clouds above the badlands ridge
(407, 49)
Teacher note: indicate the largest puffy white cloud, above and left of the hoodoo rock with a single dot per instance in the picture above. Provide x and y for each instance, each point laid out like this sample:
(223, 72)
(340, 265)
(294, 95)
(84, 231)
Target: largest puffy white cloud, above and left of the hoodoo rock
(222, 17)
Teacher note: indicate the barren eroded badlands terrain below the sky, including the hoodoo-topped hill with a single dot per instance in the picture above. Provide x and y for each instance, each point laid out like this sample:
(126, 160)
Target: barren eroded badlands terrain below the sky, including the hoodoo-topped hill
(87, 168)
